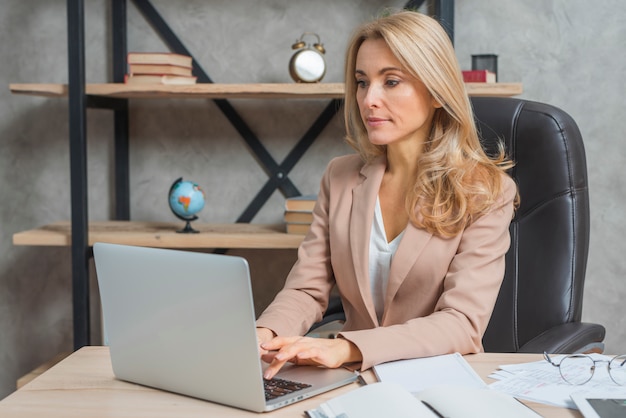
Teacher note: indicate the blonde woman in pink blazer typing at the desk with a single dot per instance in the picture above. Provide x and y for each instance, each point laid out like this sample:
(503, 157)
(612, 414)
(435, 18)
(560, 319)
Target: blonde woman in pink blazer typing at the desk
(413, 228)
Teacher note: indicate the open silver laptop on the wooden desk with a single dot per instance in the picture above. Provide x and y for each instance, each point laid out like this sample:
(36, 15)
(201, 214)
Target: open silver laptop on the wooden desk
(184, 322)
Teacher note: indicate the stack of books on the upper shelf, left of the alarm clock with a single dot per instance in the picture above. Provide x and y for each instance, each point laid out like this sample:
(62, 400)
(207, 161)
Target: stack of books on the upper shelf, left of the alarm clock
(159, 68)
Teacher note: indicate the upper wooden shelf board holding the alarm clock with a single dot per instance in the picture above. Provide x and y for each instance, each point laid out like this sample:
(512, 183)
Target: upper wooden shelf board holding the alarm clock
(234, 91)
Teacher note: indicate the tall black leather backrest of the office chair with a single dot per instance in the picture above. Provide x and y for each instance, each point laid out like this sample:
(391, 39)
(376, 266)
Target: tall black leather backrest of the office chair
(546, 264)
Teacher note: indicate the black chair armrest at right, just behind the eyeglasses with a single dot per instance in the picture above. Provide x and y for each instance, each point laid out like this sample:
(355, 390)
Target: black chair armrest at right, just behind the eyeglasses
(572, 337)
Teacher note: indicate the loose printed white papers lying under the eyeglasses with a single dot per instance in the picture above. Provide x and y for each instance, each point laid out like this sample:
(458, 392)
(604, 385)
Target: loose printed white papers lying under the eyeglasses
(541, 382)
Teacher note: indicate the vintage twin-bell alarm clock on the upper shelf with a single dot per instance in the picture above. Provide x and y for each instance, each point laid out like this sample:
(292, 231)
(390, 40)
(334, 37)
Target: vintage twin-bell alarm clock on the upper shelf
(307, 65)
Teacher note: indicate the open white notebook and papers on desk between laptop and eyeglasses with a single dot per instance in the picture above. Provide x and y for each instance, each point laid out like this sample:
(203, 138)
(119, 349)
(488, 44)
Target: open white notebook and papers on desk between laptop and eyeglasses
(442, 386)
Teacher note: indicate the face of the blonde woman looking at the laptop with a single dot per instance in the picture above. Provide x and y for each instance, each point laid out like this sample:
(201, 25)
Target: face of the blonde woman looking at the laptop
(394, 106)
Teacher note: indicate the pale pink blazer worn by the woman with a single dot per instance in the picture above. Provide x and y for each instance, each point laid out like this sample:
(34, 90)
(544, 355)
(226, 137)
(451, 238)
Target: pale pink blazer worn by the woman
(441, 291)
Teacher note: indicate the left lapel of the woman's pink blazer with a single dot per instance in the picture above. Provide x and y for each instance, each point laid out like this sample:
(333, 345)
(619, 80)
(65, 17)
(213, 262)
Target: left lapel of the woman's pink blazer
(362, 215)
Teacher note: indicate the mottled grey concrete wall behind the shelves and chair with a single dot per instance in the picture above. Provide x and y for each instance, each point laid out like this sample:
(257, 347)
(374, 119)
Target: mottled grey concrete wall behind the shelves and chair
(567, 53)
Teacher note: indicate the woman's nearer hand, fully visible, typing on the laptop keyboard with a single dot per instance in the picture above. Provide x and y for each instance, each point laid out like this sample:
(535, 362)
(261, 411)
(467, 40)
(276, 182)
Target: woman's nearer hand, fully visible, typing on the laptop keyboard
(331, 353)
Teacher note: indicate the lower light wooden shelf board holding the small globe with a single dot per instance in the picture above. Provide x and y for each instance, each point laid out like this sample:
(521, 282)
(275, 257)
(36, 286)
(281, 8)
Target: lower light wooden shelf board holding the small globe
(164, 235)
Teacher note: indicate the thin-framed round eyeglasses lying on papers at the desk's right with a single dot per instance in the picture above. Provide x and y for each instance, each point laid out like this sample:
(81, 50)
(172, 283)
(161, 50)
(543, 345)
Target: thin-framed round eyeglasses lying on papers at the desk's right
(578, 369)
